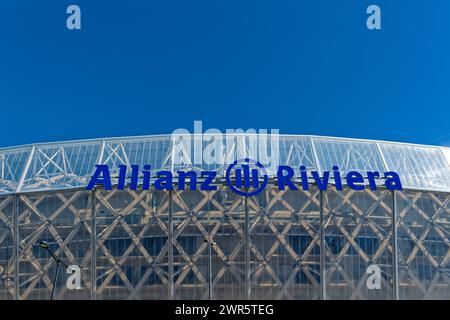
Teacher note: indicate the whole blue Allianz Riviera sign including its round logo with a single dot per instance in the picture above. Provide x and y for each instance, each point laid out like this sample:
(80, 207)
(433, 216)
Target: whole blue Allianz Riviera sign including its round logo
(245, 177)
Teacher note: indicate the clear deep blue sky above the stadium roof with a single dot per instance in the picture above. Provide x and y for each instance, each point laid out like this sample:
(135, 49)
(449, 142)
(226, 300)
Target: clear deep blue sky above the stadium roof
(150, 66)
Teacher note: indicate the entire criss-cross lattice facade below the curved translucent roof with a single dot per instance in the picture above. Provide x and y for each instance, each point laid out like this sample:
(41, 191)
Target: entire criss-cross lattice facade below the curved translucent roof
(64, 220)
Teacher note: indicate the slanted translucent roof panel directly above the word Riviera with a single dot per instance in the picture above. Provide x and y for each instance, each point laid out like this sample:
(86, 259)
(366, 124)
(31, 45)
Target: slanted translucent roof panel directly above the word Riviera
(348, 155)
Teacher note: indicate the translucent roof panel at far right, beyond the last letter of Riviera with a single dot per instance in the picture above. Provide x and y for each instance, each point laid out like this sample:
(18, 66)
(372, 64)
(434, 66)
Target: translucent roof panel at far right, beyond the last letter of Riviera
(418, 166)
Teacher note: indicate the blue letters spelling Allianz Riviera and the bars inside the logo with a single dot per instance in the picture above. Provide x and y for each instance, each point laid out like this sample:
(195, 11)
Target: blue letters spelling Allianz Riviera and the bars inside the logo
(244, 177)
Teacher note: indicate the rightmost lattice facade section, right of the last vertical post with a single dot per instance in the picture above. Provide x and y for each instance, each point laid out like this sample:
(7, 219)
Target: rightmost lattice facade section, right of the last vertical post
(423, 226)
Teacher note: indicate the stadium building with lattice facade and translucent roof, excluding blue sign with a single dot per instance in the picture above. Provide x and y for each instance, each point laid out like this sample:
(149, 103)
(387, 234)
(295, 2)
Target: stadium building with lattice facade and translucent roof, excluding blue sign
(183, 244)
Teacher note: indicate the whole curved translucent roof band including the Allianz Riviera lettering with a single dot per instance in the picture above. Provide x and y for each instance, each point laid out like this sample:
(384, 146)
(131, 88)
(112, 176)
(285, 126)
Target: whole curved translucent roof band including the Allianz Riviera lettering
(327, 162)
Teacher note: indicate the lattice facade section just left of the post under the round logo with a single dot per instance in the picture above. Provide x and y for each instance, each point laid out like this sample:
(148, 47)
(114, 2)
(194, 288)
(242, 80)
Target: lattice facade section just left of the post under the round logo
(210, 215)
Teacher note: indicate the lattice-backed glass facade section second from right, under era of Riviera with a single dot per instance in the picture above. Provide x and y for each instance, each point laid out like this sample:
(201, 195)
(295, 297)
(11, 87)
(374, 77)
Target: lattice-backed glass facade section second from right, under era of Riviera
(358, 244)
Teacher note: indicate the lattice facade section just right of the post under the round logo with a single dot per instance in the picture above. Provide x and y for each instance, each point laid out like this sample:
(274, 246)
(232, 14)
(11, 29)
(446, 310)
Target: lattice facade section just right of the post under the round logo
(279, 215)
